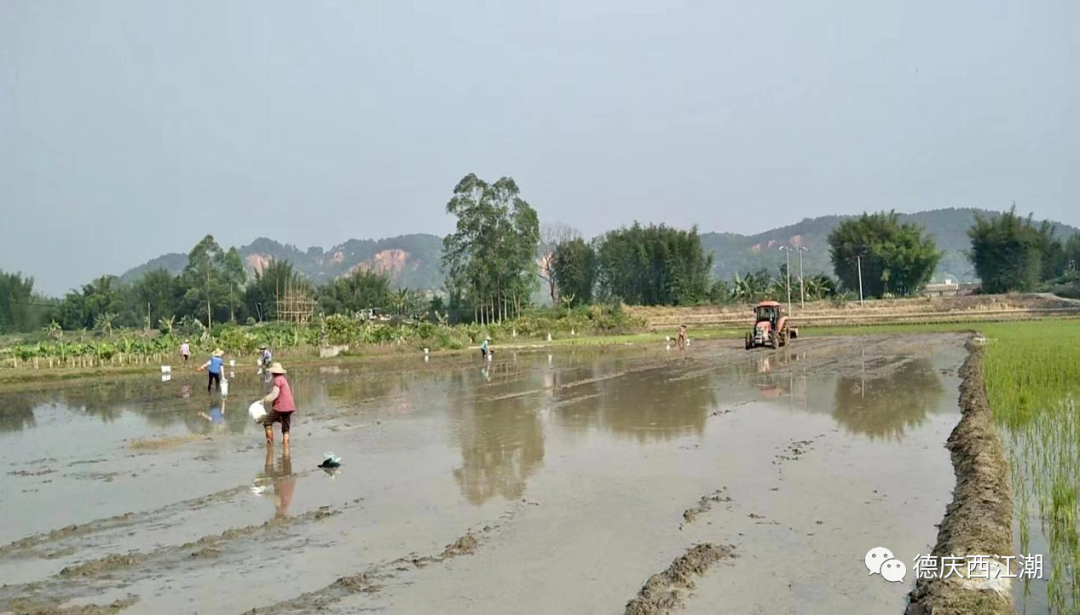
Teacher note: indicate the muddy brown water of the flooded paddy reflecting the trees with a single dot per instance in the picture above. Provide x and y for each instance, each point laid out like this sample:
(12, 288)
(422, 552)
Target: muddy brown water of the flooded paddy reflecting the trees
(537, 484)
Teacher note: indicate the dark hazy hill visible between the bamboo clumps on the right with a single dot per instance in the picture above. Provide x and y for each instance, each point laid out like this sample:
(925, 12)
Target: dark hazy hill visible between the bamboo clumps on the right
(749, 253)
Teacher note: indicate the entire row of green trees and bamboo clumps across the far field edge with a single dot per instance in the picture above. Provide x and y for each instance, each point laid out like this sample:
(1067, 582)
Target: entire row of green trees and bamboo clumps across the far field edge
(498, 256)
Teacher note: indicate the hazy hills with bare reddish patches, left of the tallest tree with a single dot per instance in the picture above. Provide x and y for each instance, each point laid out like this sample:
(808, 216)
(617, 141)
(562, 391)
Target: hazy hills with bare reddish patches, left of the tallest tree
(412, 261)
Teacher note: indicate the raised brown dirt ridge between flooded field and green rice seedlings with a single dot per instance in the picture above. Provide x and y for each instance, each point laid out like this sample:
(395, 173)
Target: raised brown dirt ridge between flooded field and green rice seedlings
(979, 520)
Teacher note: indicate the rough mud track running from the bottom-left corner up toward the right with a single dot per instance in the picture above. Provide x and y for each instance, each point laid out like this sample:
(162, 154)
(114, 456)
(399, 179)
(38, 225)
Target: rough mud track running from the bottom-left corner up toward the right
(117, 571)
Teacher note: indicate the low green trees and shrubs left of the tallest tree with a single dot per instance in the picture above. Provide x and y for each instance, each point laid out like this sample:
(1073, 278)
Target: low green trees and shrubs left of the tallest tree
(214, 288)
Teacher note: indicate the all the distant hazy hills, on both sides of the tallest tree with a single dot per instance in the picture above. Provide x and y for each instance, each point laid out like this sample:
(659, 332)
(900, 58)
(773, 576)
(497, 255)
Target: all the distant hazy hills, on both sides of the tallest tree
(414, 261)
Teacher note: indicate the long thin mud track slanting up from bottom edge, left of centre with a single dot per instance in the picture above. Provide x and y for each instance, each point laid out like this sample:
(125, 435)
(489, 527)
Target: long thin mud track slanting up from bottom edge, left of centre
(375, 579)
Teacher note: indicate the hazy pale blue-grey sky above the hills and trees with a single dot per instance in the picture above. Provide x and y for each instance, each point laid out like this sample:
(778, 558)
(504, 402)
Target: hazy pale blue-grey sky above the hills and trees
(129, 129)
